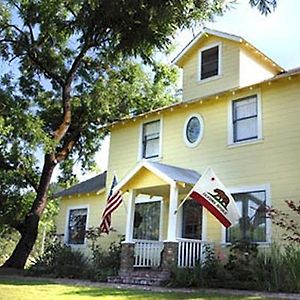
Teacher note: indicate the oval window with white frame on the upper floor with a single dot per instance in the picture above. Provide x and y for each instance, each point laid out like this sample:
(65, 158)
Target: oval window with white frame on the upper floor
(193, 130)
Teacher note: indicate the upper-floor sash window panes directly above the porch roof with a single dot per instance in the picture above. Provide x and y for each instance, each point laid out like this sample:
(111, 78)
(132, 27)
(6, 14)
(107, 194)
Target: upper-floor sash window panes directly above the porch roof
(151, 139)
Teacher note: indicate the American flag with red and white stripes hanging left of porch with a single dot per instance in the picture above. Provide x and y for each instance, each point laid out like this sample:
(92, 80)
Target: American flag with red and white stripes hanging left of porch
(114, 199)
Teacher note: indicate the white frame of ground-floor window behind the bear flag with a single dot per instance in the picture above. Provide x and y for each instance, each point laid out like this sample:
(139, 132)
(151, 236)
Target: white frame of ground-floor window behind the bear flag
(250, 189)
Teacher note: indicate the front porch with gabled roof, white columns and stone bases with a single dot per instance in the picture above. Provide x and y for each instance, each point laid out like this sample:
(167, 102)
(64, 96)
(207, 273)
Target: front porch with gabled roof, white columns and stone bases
(157, 236)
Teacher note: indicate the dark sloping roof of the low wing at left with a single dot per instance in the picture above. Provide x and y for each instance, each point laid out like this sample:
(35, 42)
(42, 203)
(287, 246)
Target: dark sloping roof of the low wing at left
(92, 185)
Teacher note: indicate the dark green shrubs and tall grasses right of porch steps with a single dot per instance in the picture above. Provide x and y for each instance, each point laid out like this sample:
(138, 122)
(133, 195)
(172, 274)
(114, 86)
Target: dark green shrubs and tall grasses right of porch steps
(277, 269)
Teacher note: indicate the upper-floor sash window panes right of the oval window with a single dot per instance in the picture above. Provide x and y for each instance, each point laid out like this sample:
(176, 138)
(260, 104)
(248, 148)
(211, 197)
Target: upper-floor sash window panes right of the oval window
(245, 119)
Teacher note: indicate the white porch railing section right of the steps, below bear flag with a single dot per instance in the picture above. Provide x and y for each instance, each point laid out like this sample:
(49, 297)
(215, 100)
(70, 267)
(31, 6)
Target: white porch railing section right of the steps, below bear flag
(189, 252)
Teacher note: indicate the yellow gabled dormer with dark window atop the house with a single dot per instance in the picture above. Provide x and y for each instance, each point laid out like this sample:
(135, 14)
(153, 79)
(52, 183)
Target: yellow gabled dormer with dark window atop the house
(215, 62)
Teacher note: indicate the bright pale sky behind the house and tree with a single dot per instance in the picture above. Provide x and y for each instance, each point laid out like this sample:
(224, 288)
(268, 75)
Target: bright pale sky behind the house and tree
(276, 35)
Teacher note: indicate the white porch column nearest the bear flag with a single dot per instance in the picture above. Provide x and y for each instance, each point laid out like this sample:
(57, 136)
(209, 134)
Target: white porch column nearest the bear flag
(172, 224)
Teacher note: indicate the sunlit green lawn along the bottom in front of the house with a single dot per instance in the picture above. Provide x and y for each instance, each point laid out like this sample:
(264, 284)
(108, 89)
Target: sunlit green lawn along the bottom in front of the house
(26, 289)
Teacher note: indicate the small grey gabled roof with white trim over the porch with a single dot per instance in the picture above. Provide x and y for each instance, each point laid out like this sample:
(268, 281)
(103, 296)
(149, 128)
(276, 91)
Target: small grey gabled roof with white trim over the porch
(170, 174)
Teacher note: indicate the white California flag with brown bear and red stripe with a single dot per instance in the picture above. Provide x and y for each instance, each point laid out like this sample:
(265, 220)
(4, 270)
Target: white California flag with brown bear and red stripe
(212, 194)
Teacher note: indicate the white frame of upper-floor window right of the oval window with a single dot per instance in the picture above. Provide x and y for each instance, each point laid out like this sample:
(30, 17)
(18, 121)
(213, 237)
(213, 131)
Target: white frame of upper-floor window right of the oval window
(259, 138)
